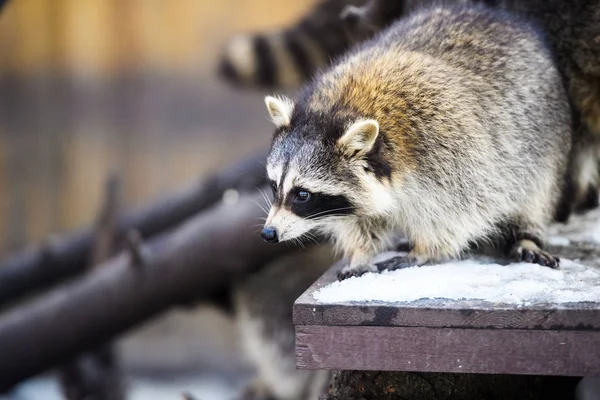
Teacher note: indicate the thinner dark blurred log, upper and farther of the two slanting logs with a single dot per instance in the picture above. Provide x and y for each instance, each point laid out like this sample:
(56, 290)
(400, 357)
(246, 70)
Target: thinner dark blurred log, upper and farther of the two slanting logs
(65, 256)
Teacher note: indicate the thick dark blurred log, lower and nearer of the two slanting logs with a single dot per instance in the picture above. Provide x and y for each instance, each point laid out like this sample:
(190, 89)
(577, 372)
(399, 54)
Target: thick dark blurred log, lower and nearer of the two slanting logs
(198, 258)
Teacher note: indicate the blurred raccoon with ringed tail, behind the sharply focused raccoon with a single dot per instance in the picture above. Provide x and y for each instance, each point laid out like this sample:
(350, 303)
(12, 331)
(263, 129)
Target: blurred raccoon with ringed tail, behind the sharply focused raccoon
(573, 28)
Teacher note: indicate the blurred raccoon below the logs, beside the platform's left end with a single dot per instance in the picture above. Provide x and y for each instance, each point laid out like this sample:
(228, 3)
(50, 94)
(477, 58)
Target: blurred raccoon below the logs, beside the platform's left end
(263, 304)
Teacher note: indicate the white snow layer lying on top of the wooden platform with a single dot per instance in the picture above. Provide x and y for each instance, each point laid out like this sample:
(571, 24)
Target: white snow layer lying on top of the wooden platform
(519, 284)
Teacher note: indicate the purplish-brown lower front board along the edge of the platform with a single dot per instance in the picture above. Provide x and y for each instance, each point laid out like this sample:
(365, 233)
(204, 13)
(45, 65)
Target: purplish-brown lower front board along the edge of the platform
(492, 351)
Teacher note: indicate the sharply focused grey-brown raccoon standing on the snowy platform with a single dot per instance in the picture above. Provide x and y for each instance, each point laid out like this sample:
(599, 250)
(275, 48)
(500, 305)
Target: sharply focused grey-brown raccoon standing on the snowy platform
(451, 127)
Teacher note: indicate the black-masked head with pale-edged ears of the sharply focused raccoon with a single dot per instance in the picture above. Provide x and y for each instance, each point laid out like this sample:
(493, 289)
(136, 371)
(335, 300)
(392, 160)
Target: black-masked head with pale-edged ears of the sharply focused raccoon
(314, 186)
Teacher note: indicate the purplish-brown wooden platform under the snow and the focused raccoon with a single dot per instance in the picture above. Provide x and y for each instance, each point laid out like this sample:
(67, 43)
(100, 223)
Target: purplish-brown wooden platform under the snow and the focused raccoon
(456, 336)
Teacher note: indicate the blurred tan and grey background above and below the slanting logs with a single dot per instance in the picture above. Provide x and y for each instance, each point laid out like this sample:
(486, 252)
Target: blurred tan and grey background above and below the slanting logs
(92, 86)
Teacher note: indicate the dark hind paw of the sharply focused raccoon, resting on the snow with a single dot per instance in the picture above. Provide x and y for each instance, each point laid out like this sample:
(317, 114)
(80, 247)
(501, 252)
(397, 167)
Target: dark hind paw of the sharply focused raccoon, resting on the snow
(524, 243)
